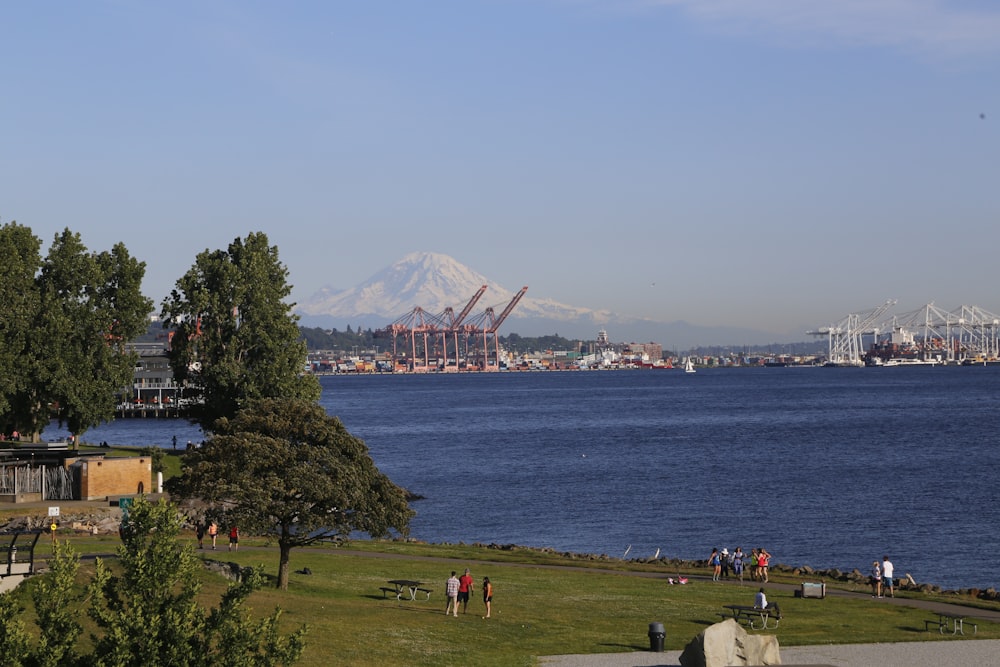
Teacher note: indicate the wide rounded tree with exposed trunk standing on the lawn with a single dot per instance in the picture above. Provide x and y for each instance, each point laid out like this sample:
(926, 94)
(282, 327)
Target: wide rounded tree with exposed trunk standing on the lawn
(284, 468)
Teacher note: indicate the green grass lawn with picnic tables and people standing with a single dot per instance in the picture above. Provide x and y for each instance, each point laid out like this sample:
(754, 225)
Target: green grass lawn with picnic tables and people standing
(538, 609)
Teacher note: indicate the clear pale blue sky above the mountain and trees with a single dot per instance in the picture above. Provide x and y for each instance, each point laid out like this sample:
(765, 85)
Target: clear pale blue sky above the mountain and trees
(758, 163)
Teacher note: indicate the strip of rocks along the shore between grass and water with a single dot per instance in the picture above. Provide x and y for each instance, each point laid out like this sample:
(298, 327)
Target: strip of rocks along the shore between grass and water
(105, 521)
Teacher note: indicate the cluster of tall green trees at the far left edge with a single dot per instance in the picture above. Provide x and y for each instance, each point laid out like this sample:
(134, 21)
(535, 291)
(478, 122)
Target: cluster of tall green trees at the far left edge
(67, 321)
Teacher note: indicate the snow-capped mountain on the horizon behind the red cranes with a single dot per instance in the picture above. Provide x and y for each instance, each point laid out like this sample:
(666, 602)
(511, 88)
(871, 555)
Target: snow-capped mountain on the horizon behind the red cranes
(435, 282)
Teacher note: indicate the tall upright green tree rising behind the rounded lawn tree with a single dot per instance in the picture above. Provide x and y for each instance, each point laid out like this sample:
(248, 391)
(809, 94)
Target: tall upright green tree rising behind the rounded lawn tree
(235, 338)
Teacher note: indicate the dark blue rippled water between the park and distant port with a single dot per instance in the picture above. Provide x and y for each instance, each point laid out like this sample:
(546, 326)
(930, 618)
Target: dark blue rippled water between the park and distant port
(827, 467)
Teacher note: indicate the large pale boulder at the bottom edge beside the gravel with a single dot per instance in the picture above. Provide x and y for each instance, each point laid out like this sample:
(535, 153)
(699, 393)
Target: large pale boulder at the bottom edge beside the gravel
(727, 644)
